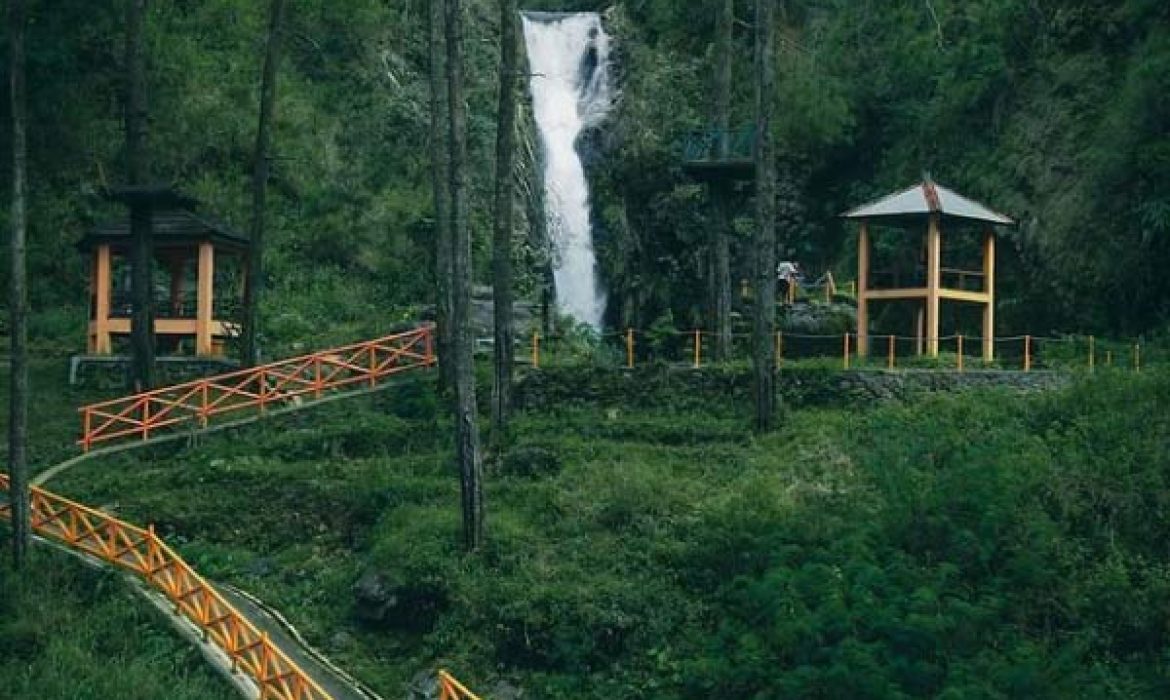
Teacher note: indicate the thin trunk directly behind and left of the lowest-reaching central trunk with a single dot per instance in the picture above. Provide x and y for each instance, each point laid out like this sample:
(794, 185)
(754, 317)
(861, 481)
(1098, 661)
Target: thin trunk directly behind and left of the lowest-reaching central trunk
(441, 166)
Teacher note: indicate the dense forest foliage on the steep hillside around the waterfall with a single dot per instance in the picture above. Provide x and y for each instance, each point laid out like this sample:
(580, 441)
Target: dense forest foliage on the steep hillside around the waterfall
(1052, 113)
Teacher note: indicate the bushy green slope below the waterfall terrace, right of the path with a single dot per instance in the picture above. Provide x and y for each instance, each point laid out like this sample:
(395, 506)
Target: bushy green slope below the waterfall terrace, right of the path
(987, 544)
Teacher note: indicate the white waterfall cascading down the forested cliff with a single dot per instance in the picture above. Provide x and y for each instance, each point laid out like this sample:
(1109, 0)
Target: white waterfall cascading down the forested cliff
(569, 57)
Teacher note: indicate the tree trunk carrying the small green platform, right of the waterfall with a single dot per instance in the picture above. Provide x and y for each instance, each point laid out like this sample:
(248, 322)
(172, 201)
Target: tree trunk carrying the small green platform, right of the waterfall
(721, 194)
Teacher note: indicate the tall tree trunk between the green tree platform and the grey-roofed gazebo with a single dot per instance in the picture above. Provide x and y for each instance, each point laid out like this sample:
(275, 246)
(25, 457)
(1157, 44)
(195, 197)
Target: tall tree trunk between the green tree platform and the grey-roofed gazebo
(765, 327)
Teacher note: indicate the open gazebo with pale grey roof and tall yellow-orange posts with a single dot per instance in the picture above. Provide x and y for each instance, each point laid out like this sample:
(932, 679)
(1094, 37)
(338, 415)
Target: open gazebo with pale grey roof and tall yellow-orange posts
(932, 205)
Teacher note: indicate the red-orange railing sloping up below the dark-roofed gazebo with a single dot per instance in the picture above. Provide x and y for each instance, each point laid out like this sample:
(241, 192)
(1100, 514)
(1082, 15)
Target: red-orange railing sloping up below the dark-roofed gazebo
(284, 383)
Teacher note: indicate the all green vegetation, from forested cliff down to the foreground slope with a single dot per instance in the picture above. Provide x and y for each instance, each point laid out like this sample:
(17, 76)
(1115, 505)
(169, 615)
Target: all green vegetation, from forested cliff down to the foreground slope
(980, 544)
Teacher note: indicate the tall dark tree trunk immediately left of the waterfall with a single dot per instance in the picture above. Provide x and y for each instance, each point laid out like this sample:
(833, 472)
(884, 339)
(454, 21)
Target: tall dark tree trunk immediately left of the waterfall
(501, 239)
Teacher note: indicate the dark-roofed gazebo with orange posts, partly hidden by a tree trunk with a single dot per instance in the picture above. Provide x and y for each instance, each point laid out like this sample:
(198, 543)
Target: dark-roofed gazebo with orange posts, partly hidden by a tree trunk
(188, 249)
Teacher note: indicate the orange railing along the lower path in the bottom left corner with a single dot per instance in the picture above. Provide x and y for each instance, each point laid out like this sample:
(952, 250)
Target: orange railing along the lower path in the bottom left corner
(144, 553)
